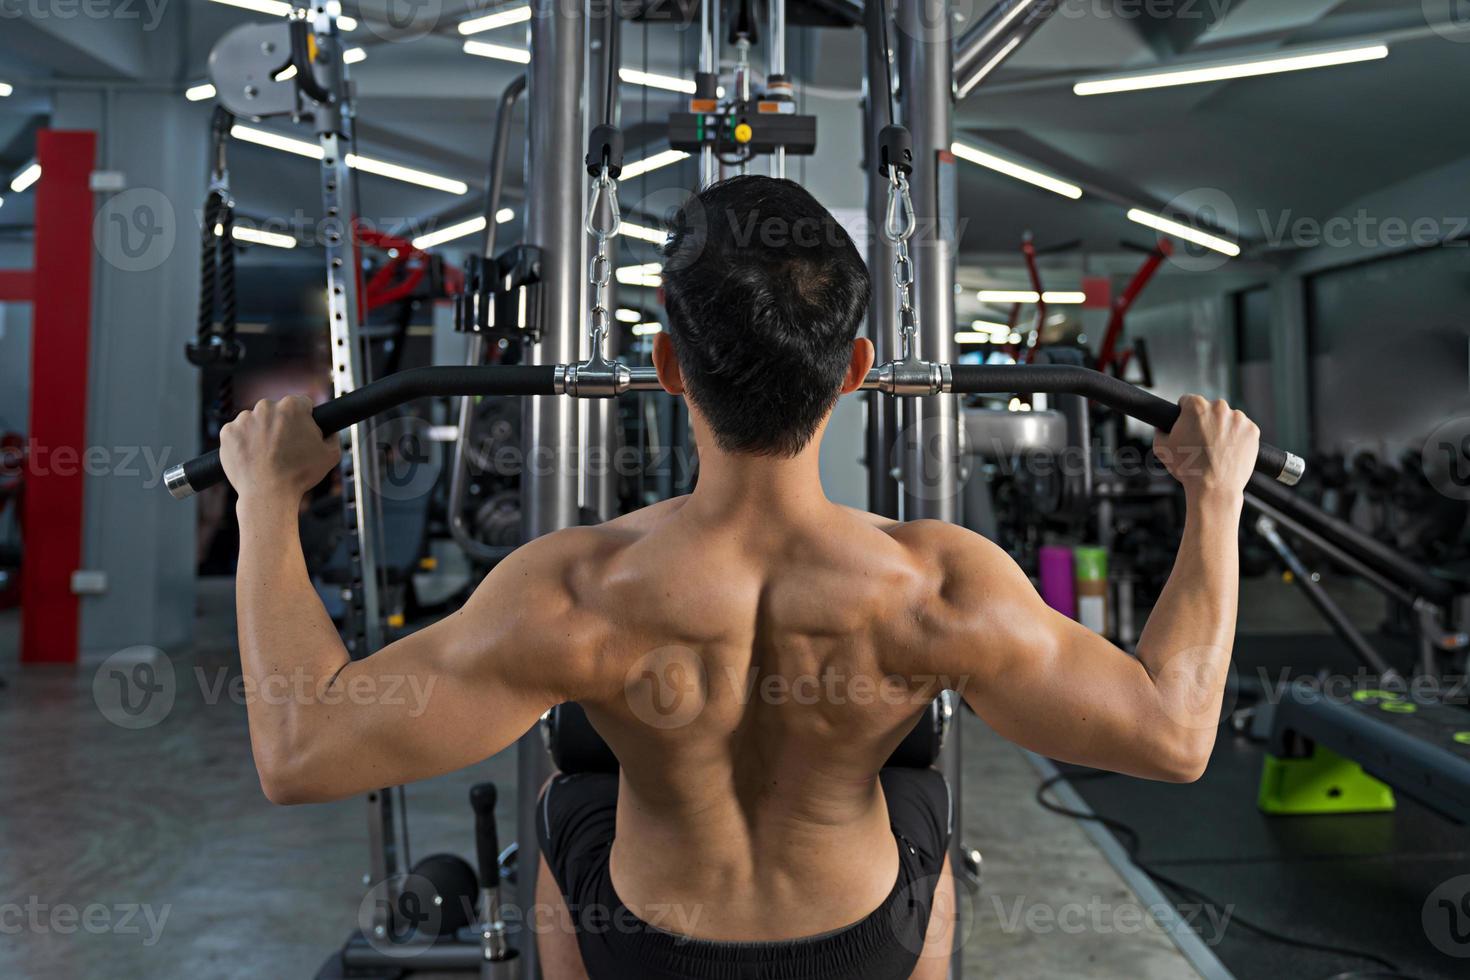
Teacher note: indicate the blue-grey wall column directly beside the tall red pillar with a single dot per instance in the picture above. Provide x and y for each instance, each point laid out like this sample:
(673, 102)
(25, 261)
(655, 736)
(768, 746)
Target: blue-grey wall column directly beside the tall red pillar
(143, 408)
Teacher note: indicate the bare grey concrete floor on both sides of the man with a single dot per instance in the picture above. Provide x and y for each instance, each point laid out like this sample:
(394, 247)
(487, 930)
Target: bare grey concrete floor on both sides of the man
(152, 853)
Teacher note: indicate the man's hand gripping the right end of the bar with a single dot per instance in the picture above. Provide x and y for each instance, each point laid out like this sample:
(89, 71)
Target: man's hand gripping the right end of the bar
(1212, 449)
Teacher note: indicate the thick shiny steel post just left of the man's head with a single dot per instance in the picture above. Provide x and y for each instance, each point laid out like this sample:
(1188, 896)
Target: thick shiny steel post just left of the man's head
(549, 483)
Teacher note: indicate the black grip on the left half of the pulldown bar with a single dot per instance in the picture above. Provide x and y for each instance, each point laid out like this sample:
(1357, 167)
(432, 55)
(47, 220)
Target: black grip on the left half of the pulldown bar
(418, 383)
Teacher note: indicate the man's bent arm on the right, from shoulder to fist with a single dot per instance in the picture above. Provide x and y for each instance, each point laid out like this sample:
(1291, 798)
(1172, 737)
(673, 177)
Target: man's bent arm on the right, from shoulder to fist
(1052, 685)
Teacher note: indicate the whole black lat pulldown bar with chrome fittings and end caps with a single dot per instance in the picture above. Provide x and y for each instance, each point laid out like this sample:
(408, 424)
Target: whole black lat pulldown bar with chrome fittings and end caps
(908, 378)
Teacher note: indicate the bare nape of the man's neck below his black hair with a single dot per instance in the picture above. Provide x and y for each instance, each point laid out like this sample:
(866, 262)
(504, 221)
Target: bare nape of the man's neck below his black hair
(736, 484)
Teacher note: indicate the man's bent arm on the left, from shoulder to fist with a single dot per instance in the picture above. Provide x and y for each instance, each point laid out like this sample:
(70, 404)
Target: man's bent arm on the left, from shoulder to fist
(324, 727)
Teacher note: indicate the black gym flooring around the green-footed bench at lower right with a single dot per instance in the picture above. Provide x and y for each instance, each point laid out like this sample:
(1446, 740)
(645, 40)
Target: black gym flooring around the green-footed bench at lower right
(1344, 881)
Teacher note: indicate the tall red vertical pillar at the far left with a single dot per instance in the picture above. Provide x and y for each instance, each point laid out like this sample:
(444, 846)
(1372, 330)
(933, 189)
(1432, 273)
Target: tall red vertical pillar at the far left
(61, 328)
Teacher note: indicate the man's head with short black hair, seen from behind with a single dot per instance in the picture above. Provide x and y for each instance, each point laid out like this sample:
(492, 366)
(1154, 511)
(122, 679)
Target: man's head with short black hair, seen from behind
(765, 296)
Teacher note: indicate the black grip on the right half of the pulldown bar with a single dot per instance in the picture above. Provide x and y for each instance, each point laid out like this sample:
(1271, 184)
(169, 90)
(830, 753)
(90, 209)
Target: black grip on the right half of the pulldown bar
(978, 380)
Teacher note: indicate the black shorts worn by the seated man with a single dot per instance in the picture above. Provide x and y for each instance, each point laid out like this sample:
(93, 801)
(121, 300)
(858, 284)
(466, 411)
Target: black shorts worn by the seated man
(576, 826)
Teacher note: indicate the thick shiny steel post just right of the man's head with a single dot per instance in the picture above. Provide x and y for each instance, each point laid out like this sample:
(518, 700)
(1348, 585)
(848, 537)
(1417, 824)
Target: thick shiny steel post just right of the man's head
(931, 433)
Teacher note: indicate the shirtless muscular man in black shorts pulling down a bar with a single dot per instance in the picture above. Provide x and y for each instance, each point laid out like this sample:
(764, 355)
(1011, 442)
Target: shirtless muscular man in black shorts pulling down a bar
(752, 652)
